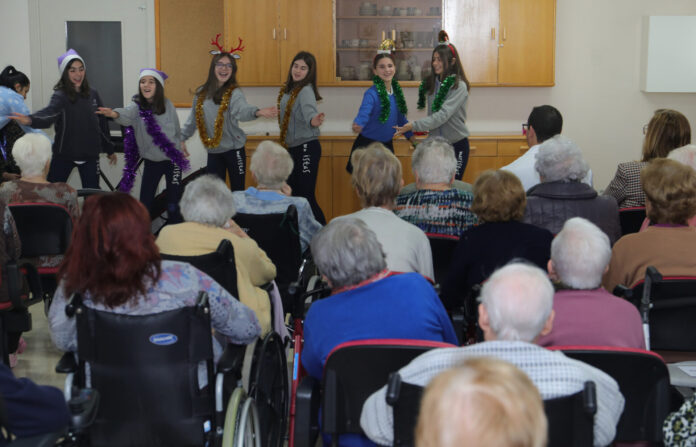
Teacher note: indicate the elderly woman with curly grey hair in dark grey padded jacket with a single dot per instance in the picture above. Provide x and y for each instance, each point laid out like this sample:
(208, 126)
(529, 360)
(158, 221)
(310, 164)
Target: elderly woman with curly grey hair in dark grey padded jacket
(562, 195)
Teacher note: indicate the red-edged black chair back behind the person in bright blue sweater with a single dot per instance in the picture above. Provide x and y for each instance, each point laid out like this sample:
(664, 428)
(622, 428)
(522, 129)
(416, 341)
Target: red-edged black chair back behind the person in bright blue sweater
(355, 370)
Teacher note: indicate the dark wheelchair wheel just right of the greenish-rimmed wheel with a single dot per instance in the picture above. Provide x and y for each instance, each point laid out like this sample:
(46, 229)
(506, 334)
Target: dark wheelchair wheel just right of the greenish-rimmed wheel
(269, 389)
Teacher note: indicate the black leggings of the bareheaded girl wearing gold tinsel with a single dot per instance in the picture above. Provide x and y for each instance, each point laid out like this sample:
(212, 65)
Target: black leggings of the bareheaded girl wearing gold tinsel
(303, 179)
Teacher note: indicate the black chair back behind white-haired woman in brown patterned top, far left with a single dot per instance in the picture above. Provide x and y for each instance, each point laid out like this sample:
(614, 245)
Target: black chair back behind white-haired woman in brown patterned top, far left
(44, 228)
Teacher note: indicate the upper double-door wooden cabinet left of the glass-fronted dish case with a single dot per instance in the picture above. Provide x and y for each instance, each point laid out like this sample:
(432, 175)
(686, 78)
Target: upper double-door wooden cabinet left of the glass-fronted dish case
(274, 31)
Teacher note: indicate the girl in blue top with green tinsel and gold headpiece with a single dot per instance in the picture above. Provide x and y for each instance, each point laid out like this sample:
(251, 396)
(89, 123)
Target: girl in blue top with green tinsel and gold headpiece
(383, 107)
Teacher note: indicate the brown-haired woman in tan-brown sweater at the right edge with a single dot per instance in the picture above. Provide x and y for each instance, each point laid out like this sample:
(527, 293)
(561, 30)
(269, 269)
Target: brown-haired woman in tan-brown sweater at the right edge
(669, 244)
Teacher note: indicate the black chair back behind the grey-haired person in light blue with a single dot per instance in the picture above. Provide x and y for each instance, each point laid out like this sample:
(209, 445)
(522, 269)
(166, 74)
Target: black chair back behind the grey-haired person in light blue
(278, 235)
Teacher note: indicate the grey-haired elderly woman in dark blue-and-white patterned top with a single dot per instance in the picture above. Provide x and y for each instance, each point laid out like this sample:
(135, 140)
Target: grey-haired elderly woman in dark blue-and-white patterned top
(436, 207)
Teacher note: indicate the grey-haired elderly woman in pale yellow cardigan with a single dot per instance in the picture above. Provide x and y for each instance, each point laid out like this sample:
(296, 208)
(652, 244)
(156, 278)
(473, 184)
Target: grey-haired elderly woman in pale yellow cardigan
(208, 207)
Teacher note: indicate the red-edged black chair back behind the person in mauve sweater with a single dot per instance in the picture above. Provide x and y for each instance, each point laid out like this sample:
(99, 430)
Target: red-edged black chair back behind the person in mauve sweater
(644, 382)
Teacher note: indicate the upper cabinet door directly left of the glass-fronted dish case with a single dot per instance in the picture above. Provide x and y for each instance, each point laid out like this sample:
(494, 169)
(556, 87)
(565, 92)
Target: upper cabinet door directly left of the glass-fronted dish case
(307, 25)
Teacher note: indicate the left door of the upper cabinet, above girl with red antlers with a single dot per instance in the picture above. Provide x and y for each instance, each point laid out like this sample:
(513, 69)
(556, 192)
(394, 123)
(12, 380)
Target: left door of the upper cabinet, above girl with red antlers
(256, 23)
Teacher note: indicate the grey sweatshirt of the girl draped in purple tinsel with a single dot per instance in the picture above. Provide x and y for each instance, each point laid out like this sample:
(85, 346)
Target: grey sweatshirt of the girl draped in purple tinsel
(168, 122)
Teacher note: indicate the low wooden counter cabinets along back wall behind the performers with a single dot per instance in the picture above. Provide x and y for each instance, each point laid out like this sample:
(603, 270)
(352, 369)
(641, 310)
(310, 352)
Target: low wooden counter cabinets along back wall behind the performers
(335, 194)
